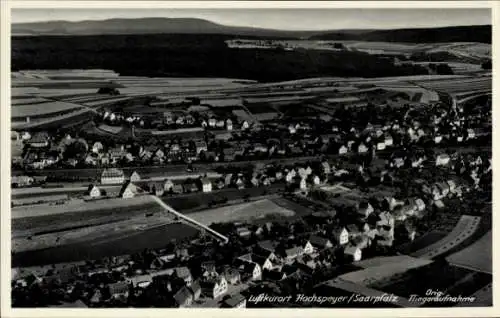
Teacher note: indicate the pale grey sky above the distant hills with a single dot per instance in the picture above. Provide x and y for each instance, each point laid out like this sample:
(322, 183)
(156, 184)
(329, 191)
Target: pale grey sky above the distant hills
(283, 19)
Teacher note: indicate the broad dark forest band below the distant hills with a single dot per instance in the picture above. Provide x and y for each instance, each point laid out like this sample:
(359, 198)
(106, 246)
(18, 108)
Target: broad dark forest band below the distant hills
(194, 56)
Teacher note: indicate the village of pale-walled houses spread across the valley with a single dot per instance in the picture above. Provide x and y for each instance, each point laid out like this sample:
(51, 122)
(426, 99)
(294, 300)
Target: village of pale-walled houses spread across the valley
(368, 186)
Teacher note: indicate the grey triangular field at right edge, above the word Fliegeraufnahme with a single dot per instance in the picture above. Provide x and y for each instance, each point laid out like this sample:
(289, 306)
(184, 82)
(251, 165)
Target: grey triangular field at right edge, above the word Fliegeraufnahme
(477, 256)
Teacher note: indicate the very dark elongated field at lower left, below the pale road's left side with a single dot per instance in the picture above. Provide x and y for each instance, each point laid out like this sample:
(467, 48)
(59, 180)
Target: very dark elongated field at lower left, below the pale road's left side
(112, 245)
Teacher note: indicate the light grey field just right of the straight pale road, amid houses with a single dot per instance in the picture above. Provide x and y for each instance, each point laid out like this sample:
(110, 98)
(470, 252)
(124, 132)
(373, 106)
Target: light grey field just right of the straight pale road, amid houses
(241, 212)
